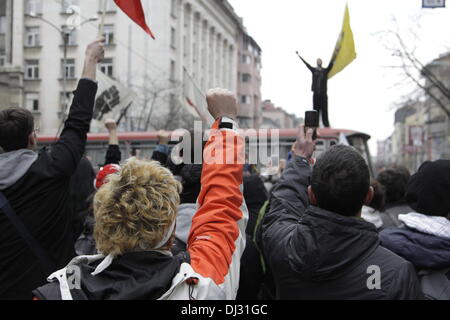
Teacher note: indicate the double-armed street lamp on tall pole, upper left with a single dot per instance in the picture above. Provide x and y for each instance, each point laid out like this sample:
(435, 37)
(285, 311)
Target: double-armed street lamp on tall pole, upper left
(65, 34)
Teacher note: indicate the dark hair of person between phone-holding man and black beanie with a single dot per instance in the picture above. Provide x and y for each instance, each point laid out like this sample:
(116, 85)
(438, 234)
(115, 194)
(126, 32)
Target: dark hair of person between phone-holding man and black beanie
(394, 181)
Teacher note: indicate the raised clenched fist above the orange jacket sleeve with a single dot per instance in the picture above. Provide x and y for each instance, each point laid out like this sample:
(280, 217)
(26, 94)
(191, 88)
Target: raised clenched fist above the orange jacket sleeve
(222, 103)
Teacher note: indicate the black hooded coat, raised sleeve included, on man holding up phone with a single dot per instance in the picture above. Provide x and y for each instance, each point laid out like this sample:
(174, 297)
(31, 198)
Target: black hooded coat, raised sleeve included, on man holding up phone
(317, 254)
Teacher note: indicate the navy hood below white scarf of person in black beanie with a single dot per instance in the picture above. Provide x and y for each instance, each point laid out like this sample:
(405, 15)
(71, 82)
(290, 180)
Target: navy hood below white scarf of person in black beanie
(424, 251)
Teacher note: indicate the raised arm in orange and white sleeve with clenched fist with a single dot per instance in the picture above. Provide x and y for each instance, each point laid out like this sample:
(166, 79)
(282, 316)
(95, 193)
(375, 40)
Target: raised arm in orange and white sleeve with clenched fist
(217, 237)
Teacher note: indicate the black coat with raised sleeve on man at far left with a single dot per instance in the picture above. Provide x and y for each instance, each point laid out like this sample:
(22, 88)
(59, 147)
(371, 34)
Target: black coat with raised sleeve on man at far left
(40, 199)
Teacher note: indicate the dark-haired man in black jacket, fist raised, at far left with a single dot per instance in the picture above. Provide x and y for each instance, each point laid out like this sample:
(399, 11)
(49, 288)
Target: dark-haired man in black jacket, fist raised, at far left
(37, 186)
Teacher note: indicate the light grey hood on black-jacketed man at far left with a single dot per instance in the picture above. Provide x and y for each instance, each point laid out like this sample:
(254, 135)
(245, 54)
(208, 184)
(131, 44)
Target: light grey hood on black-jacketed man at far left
(14, 165)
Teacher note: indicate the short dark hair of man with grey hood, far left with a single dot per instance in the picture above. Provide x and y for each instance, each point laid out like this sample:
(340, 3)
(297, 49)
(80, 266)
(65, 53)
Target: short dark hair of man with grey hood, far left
(16, 124)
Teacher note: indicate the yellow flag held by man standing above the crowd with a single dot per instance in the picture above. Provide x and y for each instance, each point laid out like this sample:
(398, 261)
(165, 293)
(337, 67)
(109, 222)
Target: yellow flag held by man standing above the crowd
(344, 53)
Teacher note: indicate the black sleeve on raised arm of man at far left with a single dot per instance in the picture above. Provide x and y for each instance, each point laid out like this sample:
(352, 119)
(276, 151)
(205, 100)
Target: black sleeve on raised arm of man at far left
(66, 153)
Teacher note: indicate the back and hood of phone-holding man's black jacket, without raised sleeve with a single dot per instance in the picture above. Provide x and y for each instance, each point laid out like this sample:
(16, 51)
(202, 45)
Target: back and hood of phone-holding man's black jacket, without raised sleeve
(329, 256)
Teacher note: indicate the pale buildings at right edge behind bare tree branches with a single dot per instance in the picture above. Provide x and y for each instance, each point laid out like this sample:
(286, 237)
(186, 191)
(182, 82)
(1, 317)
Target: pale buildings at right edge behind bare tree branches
(422, 127)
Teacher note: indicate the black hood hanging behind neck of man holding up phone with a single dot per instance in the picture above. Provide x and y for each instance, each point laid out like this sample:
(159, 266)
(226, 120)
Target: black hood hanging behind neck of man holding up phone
(328, 244)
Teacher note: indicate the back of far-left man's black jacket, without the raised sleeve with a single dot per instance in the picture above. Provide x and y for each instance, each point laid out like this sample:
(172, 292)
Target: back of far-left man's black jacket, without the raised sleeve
(39, 198)
